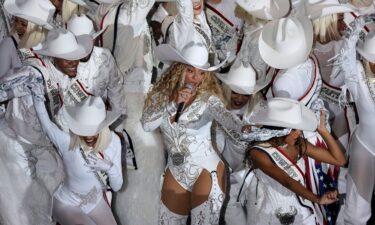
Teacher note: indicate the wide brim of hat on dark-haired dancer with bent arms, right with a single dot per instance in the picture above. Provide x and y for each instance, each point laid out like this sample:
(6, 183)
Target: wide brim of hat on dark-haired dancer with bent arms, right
(307, 123)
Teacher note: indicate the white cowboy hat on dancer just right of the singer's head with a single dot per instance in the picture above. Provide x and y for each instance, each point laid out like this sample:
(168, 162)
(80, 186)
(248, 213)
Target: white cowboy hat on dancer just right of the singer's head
(243, 80)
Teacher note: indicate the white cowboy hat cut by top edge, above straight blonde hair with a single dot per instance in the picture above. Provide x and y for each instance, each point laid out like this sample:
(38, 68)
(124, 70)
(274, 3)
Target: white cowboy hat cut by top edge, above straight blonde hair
(319, 8)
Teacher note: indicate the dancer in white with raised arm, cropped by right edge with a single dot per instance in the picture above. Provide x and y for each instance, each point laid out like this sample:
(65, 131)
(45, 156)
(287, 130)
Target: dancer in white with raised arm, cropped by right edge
(359, 77)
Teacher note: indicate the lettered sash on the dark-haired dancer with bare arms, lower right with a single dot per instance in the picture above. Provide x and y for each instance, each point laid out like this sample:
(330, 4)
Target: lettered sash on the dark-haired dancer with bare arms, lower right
(293, 170)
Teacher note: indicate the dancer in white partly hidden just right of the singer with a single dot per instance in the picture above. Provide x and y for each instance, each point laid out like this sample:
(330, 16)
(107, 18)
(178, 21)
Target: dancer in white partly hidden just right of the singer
(241, 88)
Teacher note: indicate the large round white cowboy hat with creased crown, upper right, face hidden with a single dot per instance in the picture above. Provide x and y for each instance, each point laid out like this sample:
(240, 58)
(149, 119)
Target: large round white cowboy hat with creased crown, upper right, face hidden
(286, 42)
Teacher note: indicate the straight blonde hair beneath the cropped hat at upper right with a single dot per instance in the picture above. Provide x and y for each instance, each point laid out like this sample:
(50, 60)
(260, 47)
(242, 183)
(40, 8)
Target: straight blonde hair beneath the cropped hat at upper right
(326, 29)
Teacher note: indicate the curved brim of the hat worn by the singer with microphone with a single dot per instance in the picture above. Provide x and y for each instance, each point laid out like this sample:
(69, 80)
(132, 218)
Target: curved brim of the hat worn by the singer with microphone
(167, 54)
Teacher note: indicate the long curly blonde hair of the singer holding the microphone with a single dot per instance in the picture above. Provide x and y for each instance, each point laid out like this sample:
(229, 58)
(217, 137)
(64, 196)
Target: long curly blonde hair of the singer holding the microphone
(173, 79)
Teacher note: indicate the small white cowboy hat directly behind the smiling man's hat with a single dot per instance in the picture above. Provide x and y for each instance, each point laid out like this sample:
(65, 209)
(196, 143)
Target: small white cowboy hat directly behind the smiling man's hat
(81, 24)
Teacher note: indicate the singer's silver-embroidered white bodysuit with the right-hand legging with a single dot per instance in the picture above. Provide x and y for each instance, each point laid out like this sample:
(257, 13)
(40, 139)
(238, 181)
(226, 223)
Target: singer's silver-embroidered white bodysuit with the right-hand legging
(191, 138)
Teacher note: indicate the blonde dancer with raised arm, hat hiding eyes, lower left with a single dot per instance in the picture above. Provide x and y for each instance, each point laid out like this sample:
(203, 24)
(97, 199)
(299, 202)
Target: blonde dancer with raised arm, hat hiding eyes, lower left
(90, 153)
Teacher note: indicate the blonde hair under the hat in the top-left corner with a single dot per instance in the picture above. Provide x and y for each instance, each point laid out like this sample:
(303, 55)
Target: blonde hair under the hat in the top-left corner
(34, 35)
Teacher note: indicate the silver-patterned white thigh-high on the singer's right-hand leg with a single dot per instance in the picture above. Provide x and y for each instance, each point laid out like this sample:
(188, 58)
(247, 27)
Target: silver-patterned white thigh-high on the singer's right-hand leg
(208, 212)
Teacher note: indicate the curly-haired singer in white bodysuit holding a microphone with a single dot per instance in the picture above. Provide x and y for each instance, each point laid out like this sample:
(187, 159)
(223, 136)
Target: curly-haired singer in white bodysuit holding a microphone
(194, 176)
